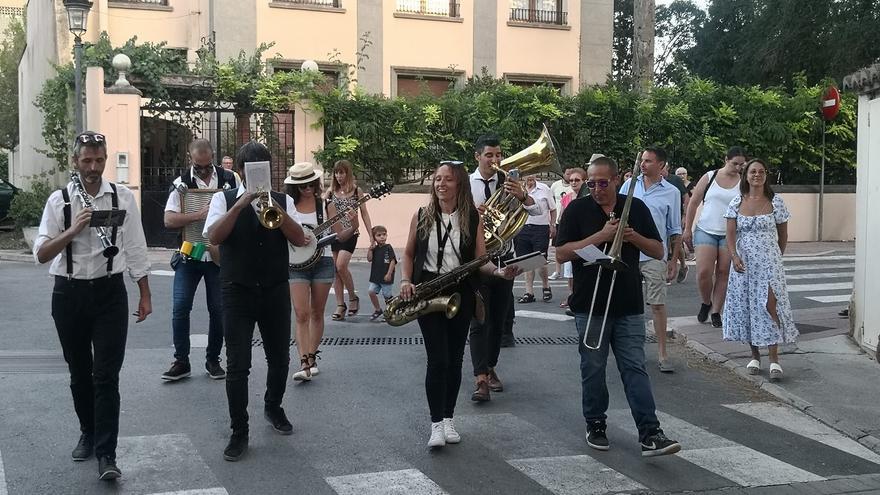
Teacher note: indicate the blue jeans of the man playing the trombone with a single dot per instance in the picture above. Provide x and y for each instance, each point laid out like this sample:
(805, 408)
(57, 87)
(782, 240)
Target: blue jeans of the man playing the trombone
(625, 335)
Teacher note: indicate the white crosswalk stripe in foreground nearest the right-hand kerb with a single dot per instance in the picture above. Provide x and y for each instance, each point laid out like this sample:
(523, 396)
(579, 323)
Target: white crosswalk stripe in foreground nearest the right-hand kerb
(797, 422)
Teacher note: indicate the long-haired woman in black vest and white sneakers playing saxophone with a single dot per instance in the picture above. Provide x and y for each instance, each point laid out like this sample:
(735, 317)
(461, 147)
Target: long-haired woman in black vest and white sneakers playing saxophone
(444, 235)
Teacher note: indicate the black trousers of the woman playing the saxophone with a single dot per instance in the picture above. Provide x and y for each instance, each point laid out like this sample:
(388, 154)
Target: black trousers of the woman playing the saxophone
(444, 344)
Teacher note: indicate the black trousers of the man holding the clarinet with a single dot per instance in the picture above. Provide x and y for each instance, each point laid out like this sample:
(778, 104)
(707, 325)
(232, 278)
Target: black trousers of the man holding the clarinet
(93, 314)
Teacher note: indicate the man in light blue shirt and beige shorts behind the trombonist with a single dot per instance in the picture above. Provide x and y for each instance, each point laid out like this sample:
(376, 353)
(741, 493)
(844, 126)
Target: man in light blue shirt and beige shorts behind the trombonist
(664, 201)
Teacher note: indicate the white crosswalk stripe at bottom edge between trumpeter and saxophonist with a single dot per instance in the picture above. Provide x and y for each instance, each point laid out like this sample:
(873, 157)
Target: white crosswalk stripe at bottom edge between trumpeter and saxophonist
(403, 482)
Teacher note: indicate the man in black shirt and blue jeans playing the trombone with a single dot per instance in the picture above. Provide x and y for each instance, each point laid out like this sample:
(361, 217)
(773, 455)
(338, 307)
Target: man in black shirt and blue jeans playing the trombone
(595, 220)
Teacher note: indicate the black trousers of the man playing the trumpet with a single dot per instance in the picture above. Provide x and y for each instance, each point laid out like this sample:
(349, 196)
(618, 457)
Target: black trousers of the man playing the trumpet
(243, 307)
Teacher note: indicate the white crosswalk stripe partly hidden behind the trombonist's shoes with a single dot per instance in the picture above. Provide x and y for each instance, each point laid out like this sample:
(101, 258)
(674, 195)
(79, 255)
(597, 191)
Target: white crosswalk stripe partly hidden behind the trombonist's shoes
(726, 458)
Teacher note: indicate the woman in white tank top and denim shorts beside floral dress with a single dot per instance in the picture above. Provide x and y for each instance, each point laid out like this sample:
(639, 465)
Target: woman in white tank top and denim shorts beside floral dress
(714, 191)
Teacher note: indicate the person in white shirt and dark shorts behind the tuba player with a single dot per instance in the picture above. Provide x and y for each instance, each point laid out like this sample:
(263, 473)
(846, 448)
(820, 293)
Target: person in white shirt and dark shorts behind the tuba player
(535, 236)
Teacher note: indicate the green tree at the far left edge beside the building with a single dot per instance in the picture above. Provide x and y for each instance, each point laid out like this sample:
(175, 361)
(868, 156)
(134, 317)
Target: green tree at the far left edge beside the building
(10, 52)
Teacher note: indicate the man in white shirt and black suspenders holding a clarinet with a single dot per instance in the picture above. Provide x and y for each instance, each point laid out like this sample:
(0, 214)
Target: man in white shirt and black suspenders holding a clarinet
(89, 300)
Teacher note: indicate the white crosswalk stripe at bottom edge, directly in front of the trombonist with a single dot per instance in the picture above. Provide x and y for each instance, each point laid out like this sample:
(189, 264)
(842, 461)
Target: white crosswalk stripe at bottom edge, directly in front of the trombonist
(573, 475)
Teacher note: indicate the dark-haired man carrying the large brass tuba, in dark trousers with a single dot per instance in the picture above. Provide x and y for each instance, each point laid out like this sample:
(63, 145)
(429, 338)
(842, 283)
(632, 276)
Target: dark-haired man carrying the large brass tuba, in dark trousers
(497, 293)
